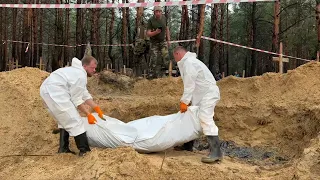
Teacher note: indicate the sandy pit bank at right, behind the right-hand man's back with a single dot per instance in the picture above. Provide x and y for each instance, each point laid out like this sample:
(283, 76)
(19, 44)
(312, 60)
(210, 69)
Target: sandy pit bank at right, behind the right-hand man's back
(271, 110)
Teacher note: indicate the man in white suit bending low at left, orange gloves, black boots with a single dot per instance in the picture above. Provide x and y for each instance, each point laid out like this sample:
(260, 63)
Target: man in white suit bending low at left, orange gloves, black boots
(63, 92)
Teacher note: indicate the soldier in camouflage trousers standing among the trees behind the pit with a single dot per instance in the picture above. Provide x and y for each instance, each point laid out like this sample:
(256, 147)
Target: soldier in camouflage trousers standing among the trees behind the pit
(158, 31)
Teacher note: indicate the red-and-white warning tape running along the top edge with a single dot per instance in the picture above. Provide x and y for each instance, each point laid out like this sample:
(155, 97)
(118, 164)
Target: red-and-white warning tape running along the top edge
(111, 5)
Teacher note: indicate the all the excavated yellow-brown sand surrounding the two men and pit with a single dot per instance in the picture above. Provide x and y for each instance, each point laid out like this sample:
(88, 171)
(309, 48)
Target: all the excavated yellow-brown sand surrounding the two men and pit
(273, 111)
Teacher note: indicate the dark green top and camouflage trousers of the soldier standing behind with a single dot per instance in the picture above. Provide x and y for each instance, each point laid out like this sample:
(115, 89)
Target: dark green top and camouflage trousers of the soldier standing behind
(159, 59)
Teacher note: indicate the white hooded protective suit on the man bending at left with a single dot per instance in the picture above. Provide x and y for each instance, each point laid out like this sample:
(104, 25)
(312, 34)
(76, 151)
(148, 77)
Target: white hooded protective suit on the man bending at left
(63, 91)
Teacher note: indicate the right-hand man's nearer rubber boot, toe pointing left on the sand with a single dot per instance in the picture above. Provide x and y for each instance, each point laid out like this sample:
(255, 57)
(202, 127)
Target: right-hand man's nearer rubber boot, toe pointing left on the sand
(215, 151)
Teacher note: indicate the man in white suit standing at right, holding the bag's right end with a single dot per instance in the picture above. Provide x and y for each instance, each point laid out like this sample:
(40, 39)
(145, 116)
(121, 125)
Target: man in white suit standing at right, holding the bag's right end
(201, 90)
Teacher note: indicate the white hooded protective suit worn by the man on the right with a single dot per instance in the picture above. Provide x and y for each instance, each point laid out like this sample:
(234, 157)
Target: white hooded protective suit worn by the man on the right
(200, 88)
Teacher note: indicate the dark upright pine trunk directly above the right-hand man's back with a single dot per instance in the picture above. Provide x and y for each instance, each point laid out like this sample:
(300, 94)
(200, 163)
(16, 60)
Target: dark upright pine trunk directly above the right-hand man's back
(213, 45)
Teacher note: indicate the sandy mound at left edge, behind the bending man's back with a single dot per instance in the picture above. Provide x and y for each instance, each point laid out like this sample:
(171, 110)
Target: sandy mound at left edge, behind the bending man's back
(24, 121)
